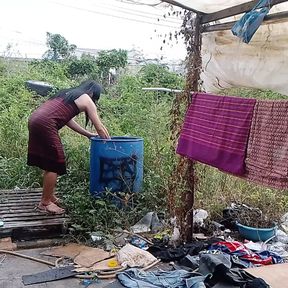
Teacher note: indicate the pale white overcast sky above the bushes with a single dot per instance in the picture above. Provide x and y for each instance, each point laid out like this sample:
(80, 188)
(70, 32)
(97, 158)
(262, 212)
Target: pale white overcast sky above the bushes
(94, 24)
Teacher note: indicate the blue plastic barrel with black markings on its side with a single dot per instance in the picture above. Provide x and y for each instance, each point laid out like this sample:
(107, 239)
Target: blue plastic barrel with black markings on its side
(116, 165)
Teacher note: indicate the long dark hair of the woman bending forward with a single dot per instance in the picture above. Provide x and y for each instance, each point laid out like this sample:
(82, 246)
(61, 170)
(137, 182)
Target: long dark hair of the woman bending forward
(88, 87)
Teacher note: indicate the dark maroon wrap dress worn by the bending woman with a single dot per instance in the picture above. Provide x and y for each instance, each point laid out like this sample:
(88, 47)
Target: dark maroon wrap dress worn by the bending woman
(44, 147)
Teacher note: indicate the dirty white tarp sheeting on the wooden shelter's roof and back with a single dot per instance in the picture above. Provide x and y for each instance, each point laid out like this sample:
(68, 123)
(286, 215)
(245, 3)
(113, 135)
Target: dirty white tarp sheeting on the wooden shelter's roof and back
(227, 62)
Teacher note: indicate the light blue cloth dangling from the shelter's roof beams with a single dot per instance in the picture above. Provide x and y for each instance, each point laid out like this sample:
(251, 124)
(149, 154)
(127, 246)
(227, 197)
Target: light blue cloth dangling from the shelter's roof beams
(249, 23)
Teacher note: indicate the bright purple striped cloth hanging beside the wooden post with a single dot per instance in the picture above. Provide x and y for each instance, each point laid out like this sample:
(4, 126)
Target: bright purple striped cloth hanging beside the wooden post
(216, 130)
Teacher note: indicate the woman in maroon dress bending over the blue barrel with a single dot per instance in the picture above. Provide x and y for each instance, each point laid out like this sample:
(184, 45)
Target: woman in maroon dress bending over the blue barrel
(45, 148)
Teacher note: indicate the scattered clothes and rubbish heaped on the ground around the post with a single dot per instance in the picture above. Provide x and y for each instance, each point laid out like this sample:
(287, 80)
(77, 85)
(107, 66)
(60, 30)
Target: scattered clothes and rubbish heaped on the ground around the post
(150, 255)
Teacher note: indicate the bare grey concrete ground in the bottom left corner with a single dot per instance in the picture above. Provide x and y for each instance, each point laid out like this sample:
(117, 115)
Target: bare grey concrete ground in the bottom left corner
(12, 268)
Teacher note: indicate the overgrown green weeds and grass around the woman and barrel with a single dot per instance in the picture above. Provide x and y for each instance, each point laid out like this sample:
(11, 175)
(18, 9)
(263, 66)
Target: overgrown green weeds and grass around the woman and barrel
(126, 110)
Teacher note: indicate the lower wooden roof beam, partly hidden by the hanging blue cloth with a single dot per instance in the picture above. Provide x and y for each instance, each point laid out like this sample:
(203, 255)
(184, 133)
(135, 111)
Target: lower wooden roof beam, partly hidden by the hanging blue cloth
(273, 18)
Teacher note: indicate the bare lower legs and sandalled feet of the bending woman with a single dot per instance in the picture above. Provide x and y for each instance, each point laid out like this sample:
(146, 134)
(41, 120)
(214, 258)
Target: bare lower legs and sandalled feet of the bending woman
(49, 184)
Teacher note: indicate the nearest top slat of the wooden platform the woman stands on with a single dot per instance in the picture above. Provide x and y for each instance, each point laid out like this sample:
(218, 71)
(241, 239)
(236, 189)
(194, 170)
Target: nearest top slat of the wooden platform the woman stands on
(46, 222)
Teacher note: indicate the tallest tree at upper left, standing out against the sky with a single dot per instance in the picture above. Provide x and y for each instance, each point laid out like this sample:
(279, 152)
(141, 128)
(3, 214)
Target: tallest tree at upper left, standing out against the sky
(59, 47)
